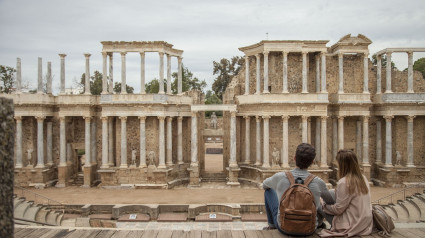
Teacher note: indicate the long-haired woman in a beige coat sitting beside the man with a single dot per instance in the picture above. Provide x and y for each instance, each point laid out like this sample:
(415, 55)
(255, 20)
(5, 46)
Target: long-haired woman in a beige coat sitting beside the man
(352, 211)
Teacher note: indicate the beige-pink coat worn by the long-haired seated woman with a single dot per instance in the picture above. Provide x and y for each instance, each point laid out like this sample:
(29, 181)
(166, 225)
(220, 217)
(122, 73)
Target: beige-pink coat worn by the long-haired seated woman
(352, 213)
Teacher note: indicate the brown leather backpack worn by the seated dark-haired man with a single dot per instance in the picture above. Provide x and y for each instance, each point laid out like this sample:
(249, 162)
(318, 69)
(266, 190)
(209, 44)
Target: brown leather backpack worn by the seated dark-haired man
(297, 208)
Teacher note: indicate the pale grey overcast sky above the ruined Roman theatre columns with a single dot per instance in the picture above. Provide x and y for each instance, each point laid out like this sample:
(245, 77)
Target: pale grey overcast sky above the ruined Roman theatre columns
(206, 30)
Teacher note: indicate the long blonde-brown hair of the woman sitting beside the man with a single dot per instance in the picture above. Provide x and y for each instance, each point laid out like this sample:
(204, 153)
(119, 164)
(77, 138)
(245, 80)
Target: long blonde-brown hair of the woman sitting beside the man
(350, 169)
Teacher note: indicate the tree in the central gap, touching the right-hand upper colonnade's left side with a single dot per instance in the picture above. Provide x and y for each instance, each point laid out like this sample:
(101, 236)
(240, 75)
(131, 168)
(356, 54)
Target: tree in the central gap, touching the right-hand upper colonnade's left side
(226, 70)
